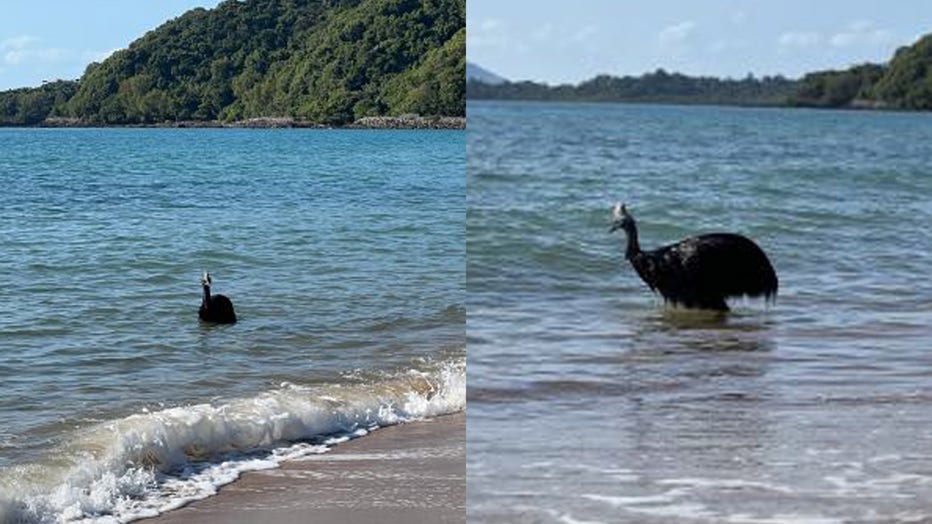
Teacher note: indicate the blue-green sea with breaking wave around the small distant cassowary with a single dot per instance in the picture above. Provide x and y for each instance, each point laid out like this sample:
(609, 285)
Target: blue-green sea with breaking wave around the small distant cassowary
(343, 252)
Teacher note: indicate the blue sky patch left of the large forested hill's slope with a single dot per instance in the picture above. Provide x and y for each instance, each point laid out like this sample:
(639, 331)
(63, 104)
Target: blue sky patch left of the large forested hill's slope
(49, 39)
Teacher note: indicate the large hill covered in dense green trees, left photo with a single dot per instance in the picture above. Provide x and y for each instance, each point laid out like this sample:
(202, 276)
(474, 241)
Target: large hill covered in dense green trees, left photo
(323, 61)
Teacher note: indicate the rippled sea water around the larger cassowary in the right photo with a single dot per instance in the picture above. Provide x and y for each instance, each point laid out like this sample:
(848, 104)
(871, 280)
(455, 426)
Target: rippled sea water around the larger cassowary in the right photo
(592, 402)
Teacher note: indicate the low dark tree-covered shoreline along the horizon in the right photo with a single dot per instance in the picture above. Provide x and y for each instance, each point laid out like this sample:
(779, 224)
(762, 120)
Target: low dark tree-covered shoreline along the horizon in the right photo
(903, 83)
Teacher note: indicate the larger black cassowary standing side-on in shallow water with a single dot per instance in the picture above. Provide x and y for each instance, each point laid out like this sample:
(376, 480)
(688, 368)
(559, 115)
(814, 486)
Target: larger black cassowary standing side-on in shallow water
(700, 272)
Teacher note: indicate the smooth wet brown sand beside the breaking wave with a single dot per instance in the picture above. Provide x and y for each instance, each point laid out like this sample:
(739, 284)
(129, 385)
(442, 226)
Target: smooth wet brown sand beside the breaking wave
(410, 473)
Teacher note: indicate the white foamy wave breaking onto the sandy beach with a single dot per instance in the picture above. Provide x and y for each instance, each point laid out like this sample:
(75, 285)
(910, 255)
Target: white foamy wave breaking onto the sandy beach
(148, 463)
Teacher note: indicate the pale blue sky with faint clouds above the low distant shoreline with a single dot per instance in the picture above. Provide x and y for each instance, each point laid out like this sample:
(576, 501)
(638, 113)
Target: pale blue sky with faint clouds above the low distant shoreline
(560, 41)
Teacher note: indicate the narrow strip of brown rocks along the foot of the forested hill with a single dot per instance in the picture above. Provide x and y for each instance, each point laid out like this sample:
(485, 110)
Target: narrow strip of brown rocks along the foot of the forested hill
(372, 122)
